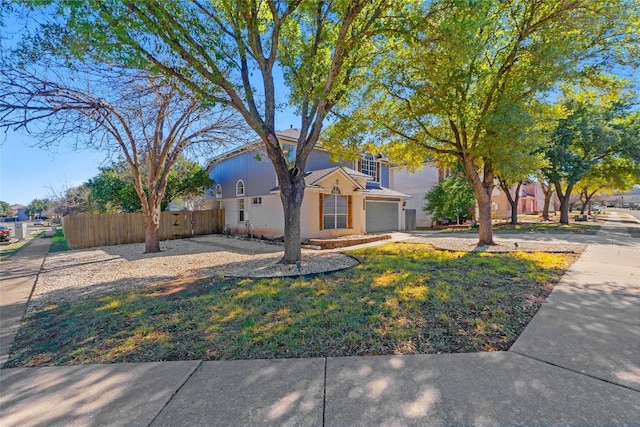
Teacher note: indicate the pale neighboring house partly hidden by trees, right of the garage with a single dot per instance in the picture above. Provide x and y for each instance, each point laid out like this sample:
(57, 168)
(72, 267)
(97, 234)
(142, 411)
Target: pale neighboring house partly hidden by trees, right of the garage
(417, 184)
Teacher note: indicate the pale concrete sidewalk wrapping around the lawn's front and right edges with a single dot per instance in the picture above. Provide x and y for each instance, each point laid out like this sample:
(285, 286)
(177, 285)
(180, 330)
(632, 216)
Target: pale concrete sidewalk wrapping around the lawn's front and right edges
(577, 363)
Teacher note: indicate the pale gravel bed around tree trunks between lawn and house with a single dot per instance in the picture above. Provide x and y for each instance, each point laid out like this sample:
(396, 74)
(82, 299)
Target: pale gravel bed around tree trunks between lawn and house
(73, 275)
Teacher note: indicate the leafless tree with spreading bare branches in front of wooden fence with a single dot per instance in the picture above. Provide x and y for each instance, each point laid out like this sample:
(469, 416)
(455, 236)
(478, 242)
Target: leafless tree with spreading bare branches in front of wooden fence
(150, 121)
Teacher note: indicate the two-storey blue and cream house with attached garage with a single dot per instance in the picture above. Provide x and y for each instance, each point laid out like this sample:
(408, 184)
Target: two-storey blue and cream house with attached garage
(341, 198)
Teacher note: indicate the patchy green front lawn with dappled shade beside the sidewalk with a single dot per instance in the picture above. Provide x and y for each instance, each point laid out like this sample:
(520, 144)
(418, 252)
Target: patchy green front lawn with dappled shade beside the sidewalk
(402, 298)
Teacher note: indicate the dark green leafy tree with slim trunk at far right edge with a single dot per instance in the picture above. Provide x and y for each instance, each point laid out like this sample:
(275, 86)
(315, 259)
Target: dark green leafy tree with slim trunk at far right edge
(597, 130)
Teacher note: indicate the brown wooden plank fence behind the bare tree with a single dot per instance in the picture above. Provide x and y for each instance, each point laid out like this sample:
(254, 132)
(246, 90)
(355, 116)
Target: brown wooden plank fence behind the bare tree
(88, 231)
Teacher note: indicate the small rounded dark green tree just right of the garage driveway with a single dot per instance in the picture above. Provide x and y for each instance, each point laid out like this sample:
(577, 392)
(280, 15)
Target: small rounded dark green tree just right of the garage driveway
(452, 198)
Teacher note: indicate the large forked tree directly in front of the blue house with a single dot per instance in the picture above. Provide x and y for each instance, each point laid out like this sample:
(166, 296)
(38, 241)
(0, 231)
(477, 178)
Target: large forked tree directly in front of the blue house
(232, 53)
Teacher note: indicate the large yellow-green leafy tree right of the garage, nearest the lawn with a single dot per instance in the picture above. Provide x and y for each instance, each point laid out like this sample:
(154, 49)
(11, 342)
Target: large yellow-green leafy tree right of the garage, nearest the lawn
(467, 82)
